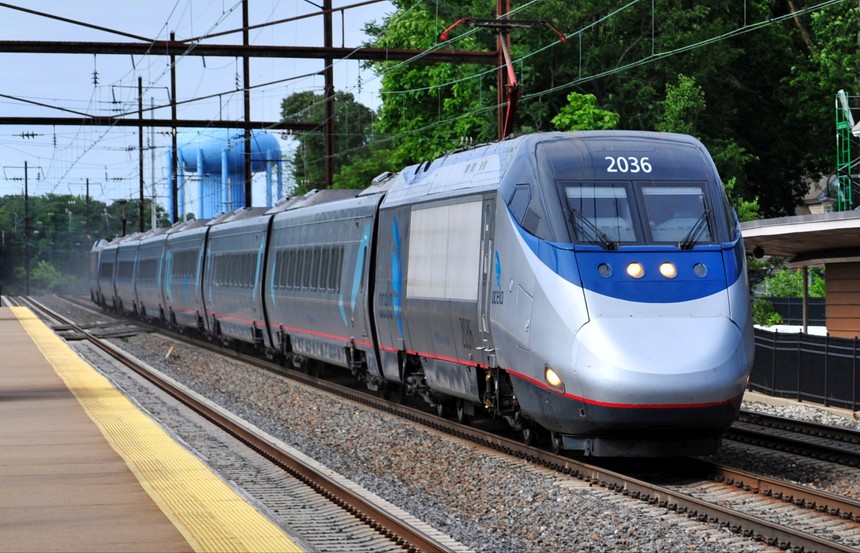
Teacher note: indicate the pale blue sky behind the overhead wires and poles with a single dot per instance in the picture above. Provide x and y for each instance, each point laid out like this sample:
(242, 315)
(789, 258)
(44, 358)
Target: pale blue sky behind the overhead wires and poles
(61, 158)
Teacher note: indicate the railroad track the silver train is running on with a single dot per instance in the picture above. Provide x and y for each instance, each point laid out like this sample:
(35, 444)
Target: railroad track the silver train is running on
(778, 513)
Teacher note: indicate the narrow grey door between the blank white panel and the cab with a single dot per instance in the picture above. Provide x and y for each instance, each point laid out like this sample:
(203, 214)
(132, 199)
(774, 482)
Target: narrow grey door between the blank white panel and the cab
(490, 280)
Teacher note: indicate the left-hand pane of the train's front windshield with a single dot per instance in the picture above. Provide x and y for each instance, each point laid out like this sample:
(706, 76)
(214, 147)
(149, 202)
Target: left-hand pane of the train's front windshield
(600, 212)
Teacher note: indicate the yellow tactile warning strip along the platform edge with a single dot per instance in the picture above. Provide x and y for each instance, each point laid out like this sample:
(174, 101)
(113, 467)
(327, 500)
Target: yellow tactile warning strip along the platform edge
(208, 513)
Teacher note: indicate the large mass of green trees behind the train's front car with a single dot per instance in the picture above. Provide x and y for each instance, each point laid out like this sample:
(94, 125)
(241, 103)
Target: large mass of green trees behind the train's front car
(732, 93)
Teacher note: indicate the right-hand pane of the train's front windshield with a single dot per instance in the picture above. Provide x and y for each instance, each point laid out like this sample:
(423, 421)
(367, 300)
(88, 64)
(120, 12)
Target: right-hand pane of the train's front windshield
(675, 213)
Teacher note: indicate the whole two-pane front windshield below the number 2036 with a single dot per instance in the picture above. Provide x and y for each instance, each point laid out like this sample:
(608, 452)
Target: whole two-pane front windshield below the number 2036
(613, 213)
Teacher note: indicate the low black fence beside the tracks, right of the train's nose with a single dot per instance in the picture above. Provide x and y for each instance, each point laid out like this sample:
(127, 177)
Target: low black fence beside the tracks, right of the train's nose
(819, 369)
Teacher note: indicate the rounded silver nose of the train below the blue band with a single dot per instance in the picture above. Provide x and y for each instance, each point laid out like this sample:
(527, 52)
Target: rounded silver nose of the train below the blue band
(661, 361)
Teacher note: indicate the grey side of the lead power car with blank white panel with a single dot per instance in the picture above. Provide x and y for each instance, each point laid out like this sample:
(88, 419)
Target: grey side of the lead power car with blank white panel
(432, 291)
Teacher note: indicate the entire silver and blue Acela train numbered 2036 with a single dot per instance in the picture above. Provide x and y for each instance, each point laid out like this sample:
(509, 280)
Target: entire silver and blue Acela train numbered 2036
(587, 288)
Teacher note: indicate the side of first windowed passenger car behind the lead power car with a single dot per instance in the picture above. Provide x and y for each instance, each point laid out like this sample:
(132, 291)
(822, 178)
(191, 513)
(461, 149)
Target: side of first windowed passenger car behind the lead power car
(318, 282)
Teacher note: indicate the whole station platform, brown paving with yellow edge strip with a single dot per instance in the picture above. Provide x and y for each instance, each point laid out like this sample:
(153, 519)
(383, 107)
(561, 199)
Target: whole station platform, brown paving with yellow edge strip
(83, 469)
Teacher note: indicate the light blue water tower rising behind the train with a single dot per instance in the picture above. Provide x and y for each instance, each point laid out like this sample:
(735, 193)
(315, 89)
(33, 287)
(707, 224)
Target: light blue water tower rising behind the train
(217, 158)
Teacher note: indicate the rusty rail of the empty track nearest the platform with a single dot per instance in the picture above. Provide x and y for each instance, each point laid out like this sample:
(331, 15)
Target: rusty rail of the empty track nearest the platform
(392, 529)
